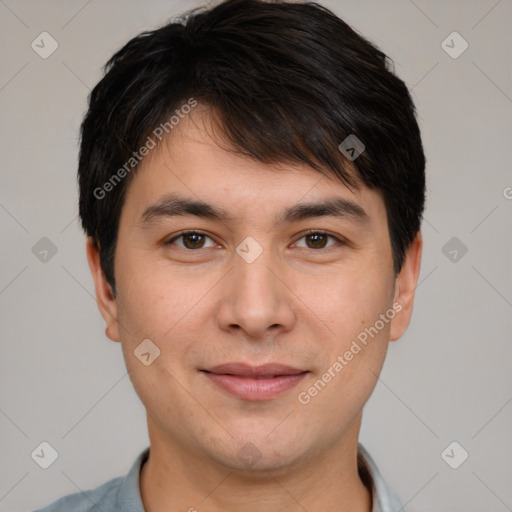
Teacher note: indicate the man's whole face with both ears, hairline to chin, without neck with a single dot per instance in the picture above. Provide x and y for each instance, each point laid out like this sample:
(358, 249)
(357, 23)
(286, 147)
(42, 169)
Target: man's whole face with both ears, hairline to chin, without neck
(257, 308)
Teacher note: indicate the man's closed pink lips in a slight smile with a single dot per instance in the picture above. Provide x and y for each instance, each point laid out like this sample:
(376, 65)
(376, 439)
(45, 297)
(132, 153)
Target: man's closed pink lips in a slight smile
(255, 383)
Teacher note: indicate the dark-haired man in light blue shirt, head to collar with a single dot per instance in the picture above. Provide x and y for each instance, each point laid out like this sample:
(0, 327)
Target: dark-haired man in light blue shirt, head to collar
(252, 187)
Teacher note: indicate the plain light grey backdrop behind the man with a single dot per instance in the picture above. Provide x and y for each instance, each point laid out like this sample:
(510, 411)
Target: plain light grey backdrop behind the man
(448, 379)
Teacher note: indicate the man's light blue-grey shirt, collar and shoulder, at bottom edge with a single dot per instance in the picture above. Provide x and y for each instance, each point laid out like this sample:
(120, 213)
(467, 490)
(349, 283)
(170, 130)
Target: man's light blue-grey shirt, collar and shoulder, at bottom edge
(122, 494)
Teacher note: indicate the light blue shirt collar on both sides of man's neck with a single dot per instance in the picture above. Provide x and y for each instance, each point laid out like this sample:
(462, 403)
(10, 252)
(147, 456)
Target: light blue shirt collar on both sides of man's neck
(384, 499)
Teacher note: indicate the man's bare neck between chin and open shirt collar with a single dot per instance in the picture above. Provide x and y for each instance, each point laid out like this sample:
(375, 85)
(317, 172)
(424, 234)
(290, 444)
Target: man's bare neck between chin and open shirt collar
(173, 478)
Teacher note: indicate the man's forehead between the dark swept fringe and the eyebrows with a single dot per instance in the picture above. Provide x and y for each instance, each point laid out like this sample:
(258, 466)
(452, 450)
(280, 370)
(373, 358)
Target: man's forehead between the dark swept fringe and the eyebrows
(197, 163)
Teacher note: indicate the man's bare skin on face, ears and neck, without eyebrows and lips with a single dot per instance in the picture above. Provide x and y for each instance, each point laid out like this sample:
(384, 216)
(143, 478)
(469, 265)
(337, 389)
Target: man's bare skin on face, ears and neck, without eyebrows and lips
(301, 302)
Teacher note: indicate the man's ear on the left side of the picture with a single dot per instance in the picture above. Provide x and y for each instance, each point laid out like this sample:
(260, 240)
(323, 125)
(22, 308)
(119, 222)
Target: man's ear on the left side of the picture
(104, 296)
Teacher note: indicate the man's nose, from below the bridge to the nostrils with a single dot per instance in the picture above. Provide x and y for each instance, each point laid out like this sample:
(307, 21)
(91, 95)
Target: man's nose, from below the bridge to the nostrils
(256, 298)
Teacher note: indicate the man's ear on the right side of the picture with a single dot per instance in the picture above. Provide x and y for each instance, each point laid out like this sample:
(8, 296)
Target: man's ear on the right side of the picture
(405, 287)
